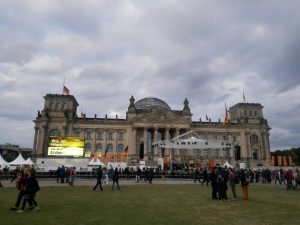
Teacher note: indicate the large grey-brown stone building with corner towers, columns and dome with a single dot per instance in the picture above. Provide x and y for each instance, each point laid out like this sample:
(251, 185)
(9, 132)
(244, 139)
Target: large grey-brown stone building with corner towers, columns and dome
(150, 120)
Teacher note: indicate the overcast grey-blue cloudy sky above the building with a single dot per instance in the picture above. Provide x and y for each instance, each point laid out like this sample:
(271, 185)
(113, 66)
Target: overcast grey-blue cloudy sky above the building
(207, 51)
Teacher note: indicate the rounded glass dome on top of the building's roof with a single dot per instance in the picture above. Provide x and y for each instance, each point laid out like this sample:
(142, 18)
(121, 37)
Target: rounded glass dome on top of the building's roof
(150, 103)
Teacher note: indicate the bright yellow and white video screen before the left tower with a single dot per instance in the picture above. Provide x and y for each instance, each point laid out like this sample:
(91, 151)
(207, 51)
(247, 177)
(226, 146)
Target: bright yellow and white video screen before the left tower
(65, 146)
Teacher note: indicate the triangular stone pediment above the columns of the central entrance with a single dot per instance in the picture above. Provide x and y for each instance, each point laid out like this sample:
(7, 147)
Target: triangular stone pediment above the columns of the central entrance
(160, 116)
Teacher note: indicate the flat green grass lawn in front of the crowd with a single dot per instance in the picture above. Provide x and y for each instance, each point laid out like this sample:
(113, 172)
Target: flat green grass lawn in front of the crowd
(153, 204)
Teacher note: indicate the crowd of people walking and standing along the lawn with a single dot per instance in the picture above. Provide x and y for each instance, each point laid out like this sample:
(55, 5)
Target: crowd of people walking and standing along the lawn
(220, 179)
